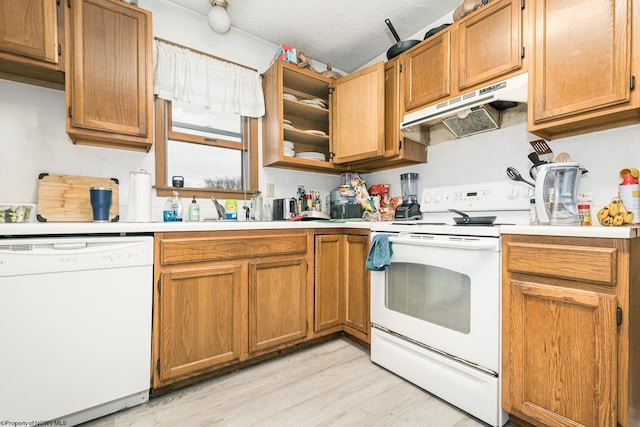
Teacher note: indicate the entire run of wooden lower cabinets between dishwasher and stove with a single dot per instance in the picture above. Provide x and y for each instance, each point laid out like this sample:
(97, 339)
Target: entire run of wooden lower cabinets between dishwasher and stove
(227, 297)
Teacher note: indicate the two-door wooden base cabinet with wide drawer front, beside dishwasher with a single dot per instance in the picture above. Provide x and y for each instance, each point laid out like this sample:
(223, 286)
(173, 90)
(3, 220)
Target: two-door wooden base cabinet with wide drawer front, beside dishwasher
(226, 297)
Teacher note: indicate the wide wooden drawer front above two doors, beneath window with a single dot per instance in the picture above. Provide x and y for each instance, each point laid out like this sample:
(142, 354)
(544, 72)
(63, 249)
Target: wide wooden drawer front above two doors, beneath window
(174, 251)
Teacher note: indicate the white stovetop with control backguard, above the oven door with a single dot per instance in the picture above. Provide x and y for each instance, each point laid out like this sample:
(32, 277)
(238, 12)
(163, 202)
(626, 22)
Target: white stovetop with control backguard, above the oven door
(507, 200)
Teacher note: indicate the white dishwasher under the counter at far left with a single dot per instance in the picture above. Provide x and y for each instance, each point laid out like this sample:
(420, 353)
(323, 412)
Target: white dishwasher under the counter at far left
(75, 327)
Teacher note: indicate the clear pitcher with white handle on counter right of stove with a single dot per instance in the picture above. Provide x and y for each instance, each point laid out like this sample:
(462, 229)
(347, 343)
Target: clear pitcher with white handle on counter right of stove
(556, 193)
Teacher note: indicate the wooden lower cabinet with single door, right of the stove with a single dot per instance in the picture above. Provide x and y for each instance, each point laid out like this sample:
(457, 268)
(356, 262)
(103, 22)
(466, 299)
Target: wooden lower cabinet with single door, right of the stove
(571, 341)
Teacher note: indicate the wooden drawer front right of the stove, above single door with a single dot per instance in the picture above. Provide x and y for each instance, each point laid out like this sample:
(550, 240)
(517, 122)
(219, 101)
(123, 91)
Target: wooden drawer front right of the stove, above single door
(585, 263)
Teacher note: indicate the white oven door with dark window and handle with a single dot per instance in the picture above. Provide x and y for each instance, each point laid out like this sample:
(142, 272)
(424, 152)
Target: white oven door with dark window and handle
(442, 292)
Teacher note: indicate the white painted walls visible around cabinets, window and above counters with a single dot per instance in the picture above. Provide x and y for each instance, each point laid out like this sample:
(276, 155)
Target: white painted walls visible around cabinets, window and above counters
(33, 137)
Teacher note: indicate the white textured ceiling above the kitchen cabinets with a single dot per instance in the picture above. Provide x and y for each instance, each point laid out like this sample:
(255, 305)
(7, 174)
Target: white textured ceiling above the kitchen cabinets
(345, 33)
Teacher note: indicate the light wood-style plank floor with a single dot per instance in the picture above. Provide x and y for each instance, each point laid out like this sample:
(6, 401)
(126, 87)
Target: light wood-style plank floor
(332, 384)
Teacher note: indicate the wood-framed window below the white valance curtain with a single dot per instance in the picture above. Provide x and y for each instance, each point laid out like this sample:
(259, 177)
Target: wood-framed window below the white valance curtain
(215, 153)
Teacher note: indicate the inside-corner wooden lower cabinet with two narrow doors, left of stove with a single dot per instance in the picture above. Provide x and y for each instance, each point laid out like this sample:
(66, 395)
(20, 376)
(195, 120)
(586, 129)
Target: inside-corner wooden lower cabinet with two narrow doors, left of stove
(342, 284)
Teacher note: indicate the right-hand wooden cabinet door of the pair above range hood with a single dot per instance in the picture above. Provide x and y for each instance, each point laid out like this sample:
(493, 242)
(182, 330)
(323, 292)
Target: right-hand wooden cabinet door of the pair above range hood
(489, 43)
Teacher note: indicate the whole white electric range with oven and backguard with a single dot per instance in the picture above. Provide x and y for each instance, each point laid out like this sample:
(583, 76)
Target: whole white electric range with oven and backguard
(436, 309)
